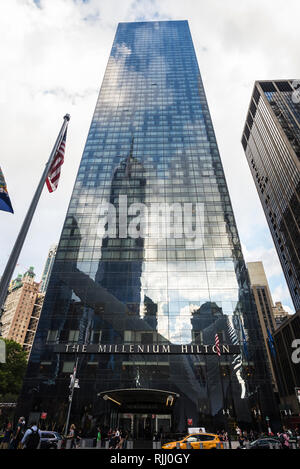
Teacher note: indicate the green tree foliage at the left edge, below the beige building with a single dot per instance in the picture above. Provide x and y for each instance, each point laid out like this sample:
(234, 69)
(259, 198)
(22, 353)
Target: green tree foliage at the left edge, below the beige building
(12, 372)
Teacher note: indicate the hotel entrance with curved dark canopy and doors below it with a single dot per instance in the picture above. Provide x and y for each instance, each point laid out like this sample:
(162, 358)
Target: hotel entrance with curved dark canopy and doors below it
(141, 412)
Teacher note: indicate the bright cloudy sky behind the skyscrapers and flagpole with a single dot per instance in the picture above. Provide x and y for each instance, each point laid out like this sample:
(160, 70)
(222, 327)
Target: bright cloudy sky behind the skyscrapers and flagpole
(53, 57)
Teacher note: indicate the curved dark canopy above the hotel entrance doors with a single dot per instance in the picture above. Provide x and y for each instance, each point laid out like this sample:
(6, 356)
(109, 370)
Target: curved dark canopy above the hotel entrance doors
(140, 398)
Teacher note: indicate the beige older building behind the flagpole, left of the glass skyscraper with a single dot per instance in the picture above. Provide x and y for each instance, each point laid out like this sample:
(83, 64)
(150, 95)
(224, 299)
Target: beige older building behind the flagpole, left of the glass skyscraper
(22, 310)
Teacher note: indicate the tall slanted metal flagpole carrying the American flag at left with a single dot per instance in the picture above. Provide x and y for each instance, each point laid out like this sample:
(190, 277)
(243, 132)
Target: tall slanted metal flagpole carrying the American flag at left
(15, 253)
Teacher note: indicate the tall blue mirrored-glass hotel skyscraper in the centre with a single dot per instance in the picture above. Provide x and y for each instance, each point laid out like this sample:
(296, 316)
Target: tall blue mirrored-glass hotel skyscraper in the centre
(151, 139)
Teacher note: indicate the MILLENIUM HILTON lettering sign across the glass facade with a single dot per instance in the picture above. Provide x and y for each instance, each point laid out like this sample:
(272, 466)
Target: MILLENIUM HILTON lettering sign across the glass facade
(148, 349)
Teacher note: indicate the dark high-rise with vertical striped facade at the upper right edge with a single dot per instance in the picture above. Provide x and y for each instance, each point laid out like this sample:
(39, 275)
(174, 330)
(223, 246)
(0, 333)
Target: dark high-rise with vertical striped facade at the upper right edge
(271, 141)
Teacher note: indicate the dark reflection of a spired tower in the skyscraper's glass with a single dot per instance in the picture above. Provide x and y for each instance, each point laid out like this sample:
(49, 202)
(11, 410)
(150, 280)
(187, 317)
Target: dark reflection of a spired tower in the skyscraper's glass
(121, 266)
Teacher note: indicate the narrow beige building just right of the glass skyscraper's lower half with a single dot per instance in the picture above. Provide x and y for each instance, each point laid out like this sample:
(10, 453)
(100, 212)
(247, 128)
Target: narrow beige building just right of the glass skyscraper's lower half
(264, 304)
